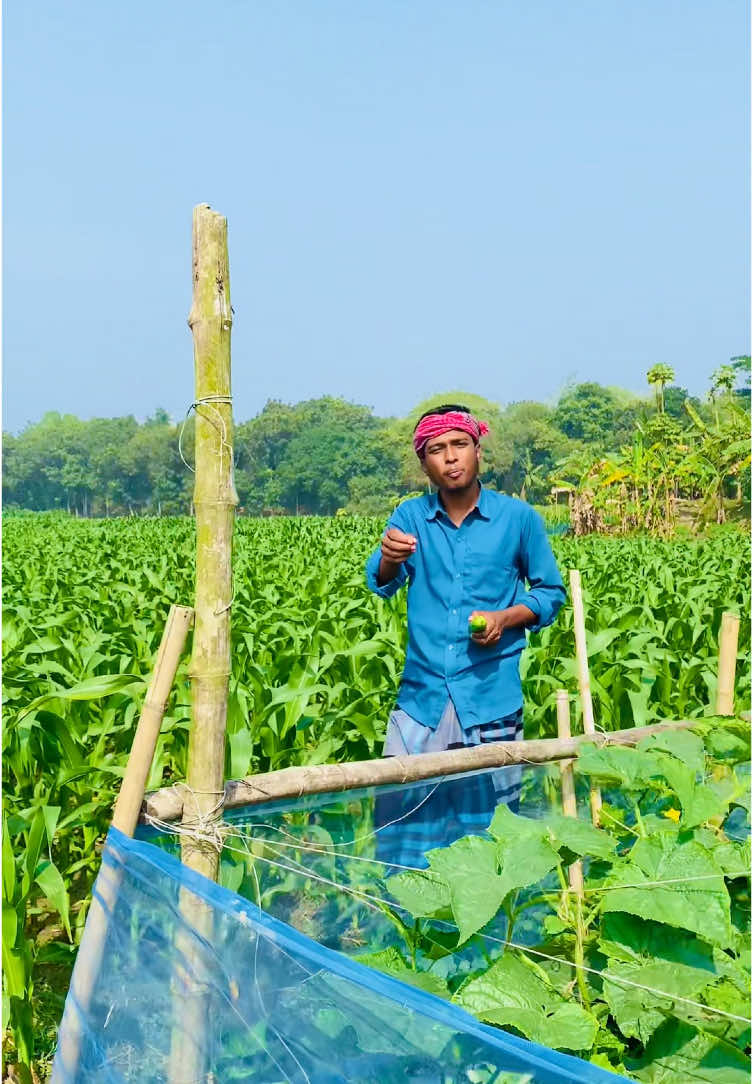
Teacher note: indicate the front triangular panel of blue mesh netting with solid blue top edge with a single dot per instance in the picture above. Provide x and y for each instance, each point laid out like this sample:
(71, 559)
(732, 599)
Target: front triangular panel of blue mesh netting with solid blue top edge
(276, 1005)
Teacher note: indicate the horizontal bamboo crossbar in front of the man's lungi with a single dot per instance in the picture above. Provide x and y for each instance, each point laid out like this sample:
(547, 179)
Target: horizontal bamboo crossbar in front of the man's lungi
(167, 805)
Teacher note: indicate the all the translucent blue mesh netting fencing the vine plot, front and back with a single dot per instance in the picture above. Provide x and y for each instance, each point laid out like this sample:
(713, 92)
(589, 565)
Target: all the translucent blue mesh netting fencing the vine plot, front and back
(294, 967)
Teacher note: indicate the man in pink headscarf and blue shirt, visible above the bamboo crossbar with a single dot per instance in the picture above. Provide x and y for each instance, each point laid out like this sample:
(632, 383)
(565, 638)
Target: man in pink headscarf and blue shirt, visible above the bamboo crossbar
(464, 552)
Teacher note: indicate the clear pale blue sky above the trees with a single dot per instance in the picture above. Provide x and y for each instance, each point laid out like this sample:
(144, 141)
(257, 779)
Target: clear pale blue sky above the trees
(503, 196)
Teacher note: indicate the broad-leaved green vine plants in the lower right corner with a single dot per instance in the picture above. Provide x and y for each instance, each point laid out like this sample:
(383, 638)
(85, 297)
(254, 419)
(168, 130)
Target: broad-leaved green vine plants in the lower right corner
(666, 990)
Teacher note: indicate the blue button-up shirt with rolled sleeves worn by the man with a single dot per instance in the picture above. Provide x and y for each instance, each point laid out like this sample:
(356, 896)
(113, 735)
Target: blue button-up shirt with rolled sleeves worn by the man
(484, 564)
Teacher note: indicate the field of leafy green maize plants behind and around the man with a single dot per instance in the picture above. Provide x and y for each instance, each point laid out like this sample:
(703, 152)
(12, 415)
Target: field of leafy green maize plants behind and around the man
(317, 662)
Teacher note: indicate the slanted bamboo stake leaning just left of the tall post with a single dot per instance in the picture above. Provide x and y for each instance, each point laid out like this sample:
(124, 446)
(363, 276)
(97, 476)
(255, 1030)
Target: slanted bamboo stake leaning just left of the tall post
(125, 819)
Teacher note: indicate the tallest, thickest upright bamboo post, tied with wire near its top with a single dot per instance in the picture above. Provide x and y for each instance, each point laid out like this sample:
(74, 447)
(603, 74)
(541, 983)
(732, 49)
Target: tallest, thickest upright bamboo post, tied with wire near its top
(215, 499)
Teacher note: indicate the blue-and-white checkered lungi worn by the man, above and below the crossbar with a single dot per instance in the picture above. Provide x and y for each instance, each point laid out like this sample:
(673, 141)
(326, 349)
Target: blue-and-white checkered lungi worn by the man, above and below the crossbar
(421, 817)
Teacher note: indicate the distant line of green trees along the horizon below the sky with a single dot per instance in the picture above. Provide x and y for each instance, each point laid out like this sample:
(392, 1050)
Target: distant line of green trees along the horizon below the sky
(327, 456)
